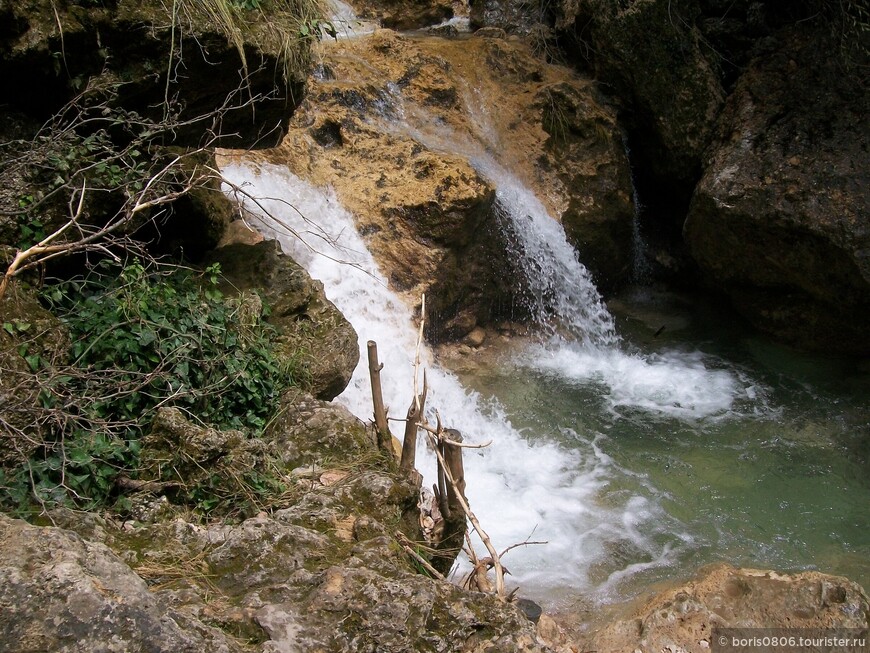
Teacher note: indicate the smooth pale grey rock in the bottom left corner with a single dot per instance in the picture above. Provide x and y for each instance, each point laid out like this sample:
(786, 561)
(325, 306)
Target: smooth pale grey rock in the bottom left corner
(61, 593)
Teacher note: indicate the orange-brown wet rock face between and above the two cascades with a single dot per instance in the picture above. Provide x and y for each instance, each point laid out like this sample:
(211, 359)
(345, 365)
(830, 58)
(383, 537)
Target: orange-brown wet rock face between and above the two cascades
(392, 123)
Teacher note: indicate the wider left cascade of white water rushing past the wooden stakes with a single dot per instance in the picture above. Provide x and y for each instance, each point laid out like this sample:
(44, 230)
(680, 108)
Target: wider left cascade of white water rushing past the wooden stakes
(516, 487)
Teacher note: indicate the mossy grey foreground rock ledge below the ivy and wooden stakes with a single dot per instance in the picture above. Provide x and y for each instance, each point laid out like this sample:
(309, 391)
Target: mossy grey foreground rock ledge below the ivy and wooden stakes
(291, 581)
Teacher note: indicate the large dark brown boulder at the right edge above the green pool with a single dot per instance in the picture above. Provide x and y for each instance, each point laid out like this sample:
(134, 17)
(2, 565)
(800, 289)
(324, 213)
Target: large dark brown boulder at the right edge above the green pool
(781, 218)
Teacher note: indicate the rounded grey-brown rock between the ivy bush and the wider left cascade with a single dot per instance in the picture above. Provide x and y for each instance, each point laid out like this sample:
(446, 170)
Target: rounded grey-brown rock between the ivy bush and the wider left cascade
(312, 332)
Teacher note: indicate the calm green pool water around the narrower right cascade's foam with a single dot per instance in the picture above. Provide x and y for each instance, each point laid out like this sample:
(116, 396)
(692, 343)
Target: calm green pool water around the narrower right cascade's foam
(781, 480)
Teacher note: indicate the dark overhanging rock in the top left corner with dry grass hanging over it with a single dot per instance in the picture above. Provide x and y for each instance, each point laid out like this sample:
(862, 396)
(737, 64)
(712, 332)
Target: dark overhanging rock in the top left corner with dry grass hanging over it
(224, 72)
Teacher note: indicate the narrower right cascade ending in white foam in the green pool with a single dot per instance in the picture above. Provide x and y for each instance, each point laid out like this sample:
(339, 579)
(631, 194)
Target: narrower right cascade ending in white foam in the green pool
(583, 345)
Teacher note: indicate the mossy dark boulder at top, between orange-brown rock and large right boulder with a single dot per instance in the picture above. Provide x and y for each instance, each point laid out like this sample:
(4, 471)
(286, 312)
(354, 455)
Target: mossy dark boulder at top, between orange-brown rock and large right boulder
(656, 61)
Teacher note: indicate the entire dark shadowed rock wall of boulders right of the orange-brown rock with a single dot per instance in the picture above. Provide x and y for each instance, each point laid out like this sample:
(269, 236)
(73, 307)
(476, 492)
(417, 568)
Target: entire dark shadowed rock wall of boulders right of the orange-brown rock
(775, 175)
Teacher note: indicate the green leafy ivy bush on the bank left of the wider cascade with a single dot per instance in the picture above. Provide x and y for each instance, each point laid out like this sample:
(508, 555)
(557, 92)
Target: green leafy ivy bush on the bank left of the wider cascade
(143, 339)
